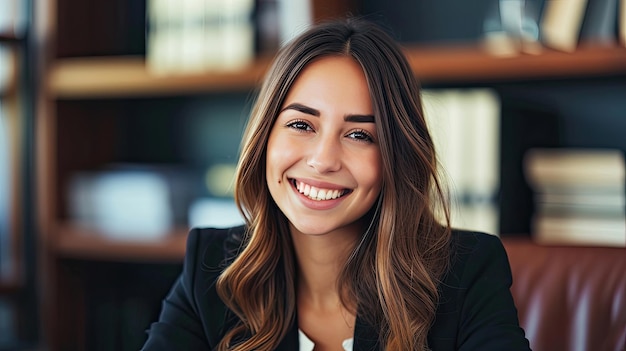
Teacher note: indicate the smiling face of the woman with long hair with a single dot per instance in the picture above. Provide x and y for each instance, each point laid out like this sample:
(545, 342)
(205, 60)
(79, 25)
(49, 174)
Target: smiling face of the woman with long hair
(323, 158)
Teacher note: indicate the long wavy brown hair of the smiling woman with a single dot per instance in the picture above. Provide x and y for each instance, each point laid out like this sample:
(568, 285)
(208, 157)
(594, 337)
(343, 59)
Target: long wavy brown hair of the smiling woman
(394, 271)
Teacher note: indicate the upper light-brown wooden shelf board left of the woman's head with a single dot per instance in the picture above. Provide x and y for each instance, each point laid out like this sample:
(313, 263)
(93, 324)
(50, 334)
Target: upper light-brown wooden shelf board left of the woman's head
(128, 76)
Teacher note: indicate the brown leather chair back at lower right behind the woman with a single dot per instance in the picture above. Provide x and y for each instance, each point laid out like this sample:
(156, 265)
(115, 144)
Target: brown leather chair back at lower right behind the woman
(569, 298)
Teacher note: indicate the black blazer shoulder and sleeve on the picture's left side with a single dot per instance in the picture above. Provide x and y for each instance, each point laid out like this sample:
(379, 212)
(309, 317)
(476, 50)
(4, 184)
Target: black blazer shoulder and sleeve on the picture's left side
(193, 315)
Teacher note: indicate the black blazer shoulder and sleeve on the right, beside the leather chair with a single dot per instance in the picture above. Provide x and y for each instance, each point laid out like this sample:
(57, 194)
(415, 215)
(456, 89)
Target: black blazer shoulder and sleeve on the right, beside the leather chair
(476, 310)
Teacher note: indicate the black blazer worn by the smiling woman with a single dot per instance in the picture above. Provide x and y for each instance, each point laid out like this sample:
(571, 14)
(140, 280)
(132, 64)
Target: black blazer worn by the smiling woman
(475, 312)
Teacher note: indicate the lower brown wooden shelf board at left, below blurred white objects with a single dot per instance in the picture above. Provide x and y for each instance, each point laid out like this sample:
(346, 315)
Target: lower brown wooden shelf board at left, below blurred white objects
(80, 243)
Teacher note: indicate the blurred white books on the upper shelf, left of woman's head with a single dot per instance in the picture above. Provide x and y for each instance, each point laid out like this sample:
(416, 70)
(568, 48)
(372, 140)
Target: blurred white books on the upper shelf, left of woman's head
(196, 36)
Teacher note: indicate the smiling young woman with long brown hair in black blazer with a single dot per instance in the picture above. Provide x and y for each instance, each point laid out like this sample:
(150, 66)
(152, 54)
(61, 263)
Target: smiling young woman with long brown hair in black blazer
(341, 250)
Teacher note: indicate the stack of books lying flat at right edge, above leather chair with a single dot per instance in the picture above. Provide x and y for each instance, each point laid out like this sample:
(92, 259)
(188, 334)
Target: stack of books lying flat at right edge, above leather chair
(579, 196)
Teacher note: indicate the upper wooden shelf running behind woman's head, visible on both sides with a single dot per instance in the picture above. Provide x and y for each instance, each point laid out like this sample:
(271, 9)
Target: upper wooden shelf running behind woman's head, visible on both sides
(127, 76)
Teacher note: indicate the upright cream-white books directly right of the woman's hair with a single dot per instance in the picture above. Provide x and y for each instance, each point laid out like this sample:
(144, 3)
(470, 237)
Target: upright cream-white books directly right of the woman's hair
(465, 126)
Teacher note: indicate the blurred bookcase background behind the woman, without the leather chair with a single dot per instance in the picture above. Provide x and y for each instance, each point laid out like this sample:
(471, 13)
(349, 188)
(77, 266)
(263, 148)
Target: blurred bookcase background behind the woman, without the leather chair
(120, 124)
